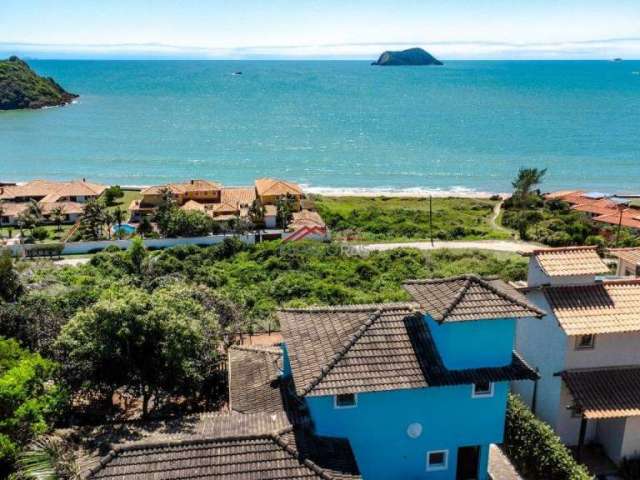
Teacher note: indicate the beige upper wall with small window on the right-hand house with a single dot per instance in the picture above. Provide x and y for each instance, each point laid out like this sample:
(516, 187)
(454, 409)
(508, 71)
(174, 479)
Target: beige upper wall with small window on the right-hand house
(611, 349)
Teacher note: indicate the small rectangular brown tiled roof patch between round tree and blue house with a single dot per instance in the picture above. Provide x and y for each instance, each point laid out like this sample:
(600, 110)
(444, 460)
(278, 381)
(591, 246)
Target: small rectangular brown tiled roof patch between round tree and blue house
(254, 384)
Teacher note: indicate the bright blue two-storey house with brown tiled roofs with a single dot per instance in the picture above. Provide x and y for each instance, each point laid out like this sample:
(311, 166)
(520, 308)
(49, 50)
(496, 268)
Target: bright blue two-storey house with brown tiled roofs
(419, 390)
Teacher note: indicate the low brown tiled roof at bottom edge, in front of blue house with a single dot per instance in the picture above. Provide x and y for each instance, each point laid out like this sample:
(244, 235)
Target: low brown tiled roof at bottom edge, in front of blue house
(242, 446)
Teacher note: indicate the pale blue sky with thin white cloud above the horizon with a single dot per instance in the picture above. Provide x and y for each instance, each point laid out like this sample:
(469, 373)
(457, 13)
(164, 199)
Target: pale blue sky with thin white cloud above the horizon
(320, 29)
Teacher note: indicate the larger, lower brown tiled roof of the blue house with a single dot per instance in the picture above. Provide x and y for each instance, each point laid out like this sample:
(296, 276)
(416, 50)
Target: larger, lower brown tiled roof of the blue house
(370, 348)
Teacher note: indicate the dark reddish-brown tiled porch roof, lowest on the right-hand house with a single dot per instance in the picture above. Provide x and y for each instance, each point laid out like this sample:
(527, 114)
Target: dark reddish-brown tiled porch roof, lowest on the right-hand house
(605, 393)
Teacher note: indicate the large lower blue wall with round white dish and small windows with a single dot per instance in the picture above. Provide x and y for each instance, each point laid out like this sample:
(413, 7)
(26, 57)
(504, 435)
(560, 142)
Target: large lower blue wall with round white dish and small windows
(377, 428)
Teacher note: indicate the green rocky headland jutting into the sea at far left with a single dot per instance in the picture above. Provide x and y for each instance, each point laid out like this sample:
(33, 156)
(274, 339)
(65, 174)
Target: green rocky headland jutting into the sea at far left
(21, 87)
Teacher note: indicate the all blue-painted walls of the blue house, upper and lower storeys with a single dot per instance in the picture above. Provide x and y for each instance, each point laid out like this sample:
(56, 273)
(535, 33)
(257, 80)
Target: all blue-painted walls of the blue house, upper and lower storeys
(450, 417)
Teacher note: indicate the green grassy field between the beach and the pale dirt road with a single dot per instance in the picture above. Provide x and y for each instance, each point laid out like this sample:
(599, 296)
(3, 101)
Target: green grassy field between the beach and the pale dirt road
(397, 219)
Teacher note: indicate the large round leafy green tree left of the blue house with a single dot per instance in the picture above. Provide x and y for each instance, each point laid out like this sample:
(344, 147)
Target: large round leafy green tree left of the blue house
(153, 345)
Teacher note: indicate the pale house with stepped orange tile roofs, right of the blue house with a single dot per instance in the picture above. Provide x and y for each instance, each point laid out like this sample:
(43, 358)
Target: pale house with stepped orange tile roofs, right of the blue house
(585, 350)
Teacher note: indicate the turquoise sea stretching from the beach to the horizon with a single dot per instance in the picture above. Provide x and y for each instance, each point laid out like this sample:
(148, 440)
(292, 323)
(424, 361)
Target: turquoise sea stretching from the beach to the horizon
(335, 125)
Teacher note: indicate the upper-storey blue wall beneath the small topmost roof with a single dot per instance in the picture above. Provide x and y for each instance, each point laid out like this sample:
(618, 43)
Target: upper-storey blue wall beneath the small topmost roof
(474, 344)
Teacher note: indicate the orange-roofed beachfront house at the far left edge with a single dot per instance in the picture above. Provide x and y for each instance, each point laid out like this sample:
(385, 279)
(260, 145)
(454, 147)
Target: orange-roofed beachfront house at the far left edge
(50, 191)
